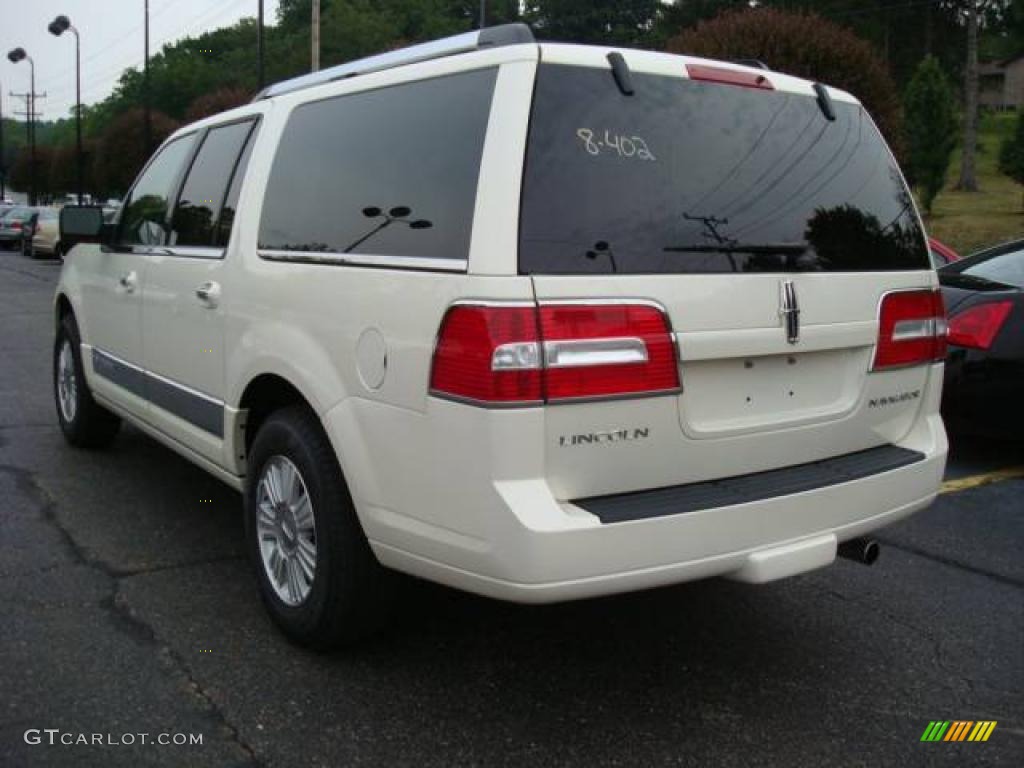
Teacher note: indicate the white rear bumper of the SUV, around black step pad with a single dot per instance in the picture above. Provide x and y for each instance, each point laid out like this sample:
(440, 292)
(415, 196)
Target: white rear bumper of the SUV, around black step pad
(541, 550)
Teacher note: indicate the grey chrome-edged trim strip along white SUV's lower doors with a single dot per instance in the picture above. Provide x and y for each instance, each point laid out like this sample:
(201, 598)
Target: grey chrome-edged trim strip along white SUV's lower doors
(187, 404)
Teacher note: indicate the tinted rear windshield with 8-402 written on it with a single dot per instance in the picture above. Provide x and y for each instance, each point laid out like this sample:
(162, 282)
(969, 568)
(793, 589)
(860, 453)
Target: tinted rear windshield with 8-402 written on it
(687, 177)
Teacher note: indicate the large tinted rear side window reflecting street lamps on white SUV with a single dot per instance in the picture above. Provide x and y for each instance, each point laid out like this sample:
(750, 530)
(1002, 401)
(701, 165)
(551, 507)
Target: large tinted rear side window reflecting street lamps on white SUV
(390, 173)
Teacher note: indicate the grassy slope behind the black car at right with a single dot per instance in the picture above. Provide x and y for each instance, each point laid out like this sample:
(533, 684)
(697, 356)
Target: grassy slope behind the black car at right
(967, 222)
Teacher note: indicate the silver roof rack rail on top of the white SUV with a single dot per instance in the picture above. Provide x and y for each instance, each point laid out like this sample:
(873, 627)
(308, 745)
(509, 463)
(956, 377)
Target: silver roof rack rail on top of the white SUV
(507, 34)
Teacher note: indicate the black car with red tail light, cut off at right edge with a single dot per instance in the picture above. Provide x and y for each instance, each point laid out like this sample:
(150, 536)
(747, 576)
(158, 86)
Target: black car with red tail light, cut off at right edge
(985, 383)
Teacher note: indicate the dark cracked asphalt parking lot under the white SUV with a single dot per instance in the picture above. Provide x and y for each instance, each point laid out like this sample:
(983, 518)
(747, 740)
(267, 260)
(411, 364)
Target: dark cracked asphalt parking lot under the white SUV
(127, 608)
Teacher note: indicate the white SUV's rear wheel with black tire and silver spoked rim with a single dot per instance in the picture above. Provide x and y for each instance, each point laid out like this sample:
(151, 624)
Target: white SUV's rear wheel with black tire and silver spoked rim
(317, 574)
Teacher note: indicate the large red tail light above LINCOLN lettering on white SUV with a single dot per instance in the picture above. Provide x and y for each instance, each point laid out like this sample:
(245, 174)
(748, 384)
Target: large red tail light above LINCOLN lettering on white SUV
(551, 354)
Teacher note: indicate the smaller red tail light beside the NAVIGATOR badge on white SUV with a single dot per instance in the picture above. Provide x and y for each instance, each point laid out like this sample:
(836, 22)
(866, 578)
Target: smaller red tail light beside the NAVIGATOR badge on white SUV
(912, 330)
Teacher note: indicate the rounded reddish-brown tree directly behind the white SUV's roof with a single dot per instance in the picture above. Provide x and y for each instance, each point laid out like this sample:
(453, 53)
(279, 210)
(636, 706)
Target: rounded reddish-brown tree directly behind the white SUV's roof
(806, 46)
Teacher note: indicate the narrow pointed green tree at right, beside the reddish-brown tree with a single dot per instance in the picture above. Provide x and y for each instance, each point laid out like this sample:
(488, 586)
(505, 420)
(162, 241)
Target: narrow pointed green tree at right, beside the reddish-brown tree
(930, 111)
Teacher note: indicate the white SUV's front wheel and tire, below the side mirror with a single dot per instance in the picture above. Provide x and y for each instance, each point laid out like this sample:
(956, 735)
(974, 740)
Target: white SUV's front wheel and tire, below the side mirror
(84, 423)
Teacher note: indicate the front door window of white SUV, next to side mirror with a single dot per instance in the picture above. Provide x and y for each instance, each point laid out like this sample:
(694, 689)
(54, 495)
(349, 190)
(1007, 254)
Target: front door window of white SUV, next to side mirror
(144, 219)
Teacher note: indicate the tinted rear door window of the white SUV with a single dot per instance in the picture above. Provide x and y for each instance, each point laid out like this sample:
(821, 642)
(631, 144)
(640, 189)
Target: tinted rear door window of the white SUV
(203, 194)
